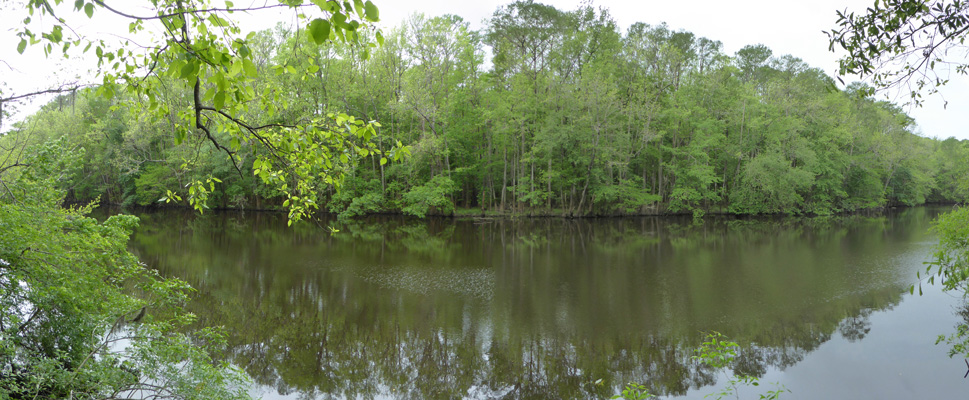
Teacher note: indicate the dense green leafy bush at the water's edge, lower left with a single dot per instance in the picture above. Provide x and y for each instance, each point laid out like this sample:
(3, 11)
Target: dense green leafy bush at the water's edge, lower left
(70, 295)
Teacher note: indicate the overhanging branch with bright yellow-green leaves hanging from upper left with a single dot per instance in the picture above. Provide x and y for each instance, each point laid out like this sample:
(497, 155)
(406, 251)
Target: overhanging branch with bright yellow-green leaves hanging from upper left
(197, 47)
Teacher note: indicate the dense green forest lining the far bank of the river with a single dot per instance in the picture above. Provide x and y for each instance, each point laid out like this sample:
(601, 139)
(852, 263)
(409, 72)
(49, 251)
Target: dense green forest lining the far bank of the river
(544, 112)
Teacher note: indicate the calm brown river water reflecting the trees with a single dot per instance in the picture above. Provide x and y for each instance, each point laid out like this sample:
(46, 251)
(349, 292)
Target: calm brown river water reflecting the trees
(543, 308)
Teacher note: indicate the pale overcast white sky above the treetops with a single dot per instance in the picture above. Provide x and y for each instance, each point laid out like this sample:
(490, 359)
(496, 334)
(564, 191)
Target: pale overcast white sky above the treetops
(787, 27)
